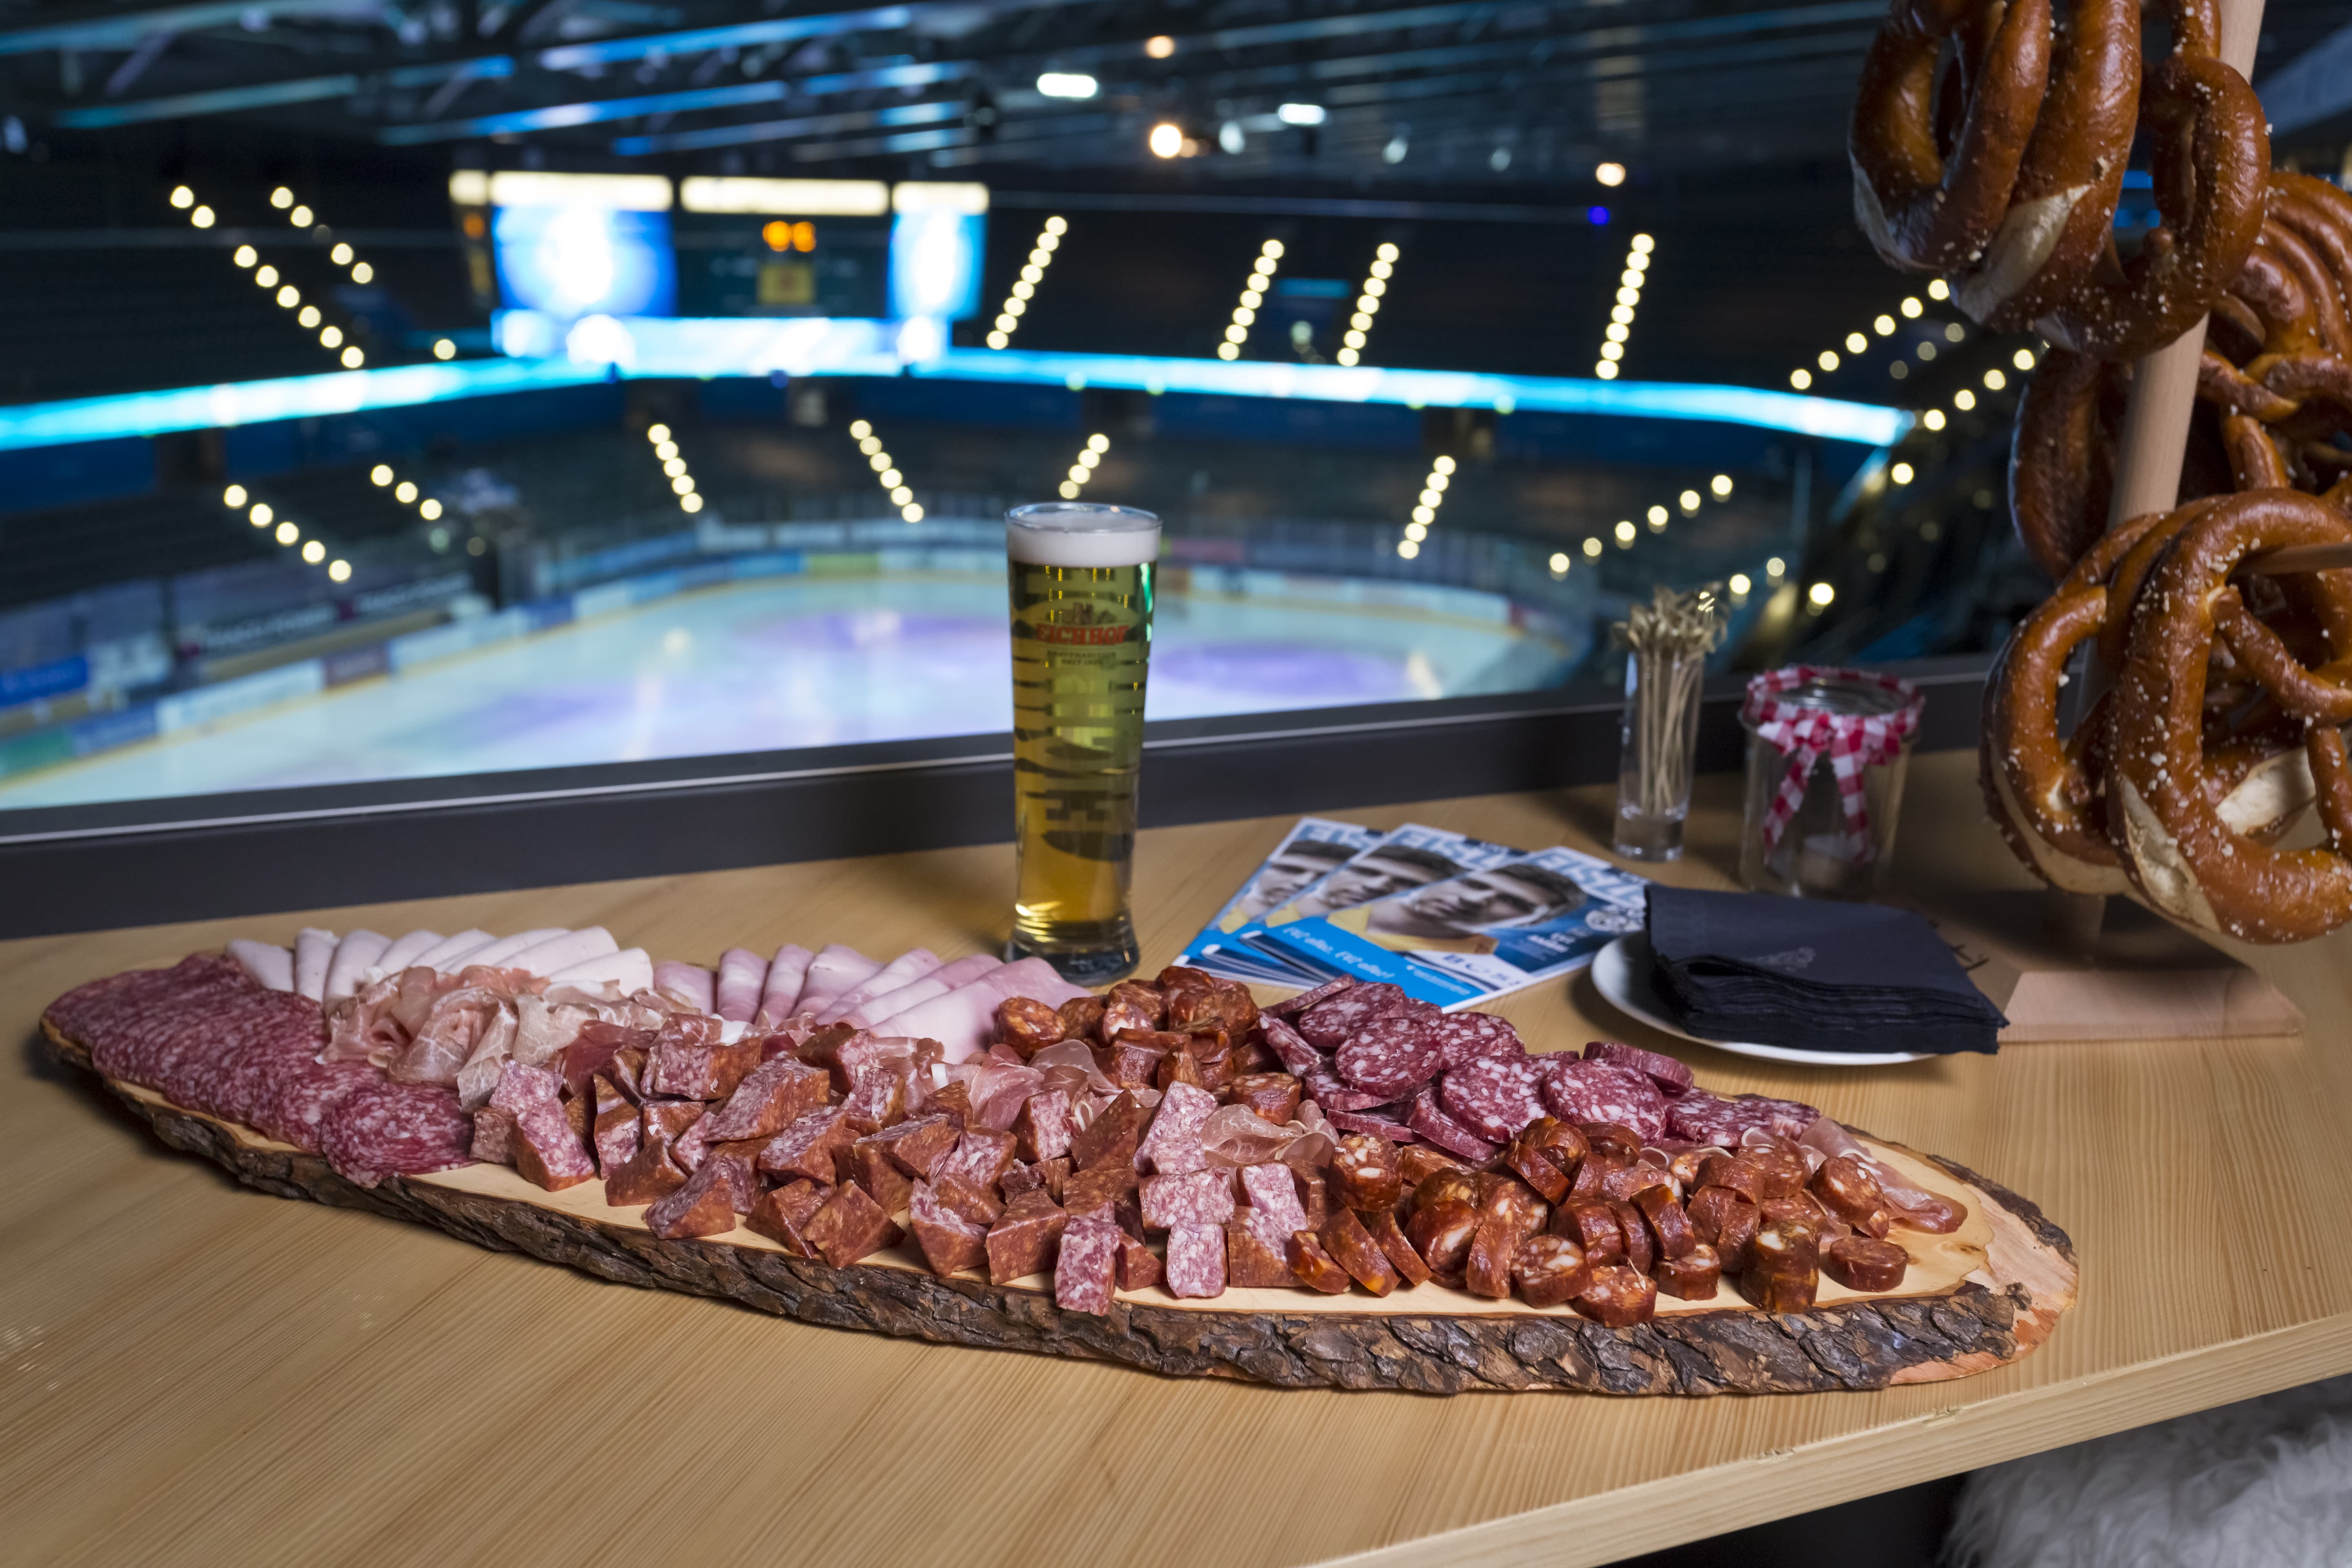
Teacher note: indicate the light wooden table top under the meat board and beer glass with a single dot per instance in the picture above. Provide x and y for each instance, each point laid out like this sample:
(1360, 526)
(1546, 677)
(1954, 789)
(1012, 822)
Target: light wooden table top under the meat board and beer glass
(208, 1374)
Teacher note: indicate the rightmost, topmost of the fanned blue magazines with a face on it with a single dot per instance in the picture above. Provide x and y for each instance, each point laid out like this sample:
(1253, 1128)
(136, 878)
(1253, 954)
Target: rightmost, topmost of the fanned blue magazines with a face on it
(1483, 934)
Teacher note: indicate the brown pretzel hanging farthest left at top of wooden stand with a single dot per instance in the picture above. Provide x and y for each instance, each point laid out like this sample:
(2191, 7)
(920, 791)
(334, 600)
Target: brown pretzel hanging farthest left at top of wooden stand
(1927, 210)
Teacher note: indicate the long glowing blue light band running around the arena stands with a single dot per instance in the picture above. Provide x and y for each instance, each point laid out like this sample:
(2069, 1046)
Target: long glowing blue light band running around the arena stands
(808, 347)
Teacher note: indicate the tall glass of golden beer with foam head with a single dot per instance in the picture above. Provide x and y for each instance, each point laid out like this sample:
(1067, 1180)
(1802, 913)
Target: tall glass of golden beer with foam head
(1083, 645)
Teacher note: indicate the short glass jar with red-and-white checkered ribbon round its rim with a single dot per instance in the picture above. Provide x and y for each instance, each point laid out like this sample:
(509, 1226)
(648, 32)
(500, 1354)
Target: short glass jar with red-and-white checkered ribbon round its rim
(1826, 763)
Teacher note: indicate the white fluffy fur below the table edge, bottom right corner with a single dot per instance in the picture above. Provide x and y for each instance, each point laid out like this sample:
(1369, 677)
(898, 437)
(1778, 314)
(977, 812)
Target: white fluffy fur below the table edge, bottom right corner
(2266, 1485)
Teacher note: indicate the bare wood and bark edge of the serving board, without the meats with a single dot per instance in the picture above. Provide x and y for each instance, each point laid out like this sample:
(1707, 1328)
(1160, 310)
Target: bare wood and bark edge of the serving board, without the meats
(1977, 1299)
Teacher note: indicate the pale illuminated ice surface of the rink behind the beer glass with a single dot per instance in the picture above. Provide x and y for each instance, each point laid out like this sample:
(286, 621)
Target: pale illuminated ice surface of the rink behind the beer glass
(768, 666)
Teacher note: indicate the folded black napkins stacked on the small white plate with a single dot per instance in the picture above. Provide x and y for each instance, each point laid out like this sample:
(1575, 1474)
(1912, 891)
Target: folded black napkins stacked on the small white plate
(1812, 974)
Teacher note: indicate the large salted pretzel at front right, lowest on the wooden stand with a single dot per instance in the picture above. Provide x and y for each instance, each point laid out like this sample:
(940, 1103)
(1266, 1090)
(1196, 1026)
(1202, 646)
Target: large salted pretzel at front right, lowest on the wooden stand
(2172, 840)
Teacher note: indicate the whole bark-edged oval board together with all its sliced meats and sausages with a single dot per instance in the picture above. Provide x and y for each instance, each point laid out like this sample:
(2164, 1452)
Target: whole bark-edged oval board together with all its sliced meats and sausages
(1144, 1177)
